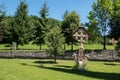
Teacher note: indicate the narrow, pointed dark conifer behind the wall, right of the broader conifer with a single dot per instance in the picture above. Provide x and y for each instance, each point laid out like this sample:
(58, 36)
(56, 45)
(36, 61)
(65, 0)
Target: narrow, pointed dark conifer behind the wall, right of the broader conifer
(41, 26)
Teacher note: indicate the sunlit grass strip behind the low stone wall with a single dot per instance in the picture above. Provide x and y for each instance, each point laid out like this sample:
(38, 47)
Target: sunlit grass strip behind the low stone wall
(68, 47)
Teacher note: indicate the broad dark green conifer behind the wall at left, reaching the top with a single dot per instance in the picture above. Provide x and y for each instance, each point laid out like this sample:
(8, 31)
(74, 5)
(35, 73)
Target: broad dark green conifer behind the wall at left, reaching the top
(22, 28)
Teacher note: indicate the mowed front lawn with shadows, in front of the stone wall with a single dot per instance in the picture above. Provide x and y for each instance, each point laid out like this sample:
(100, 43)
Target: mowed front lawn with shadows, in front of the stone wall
(36, 69)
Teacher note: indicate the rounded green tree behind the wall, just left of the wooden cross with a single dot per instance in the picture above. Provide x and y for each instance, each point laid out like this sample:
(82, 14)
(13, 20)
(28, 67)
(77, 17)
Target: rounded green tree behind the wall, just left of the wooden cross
(70, 23)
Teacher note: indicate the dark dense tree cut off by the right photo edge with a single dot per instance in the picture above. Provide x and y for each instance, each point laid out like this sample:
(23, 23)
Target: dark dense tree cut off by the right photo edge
(115, 20)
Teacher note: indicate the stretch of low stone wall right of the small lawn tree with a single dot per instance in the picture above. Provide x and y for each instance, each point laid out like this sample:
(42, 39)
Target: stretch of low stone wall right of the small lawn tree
(99, 55)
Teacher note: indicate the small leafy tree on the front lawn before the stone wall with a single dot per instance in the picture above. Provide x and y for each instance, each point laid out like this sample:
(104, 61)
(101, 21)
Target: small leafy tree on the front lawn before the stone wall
(54, 40)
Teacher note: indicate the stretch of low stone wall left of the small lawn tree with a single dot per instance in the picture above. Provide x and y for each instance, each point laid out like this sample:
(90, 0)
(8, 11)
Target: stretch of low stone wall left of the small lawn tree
(36, 55)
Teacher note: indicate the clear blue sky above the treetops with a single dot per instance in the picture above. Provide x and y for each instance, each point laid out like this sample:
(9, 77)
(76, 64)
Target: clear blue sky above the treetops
(57, 8)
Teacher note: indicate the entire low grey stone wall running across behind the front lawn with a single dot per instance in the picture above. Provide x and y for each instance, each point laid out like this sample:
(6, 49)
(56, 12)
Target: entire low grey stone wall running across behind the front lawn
(100, 55)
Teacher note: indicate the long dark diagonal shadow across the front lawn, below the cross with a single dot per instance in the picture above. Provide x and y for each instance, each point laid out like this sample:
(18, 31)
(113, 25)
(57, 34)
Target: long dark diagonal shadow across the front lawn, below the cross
(86, 73)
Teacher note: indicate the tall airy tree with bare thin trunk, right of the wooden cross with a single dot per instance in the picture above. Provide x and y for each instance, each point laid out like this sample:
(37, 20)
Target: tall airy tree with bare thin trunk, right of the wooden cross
(102, 10)
